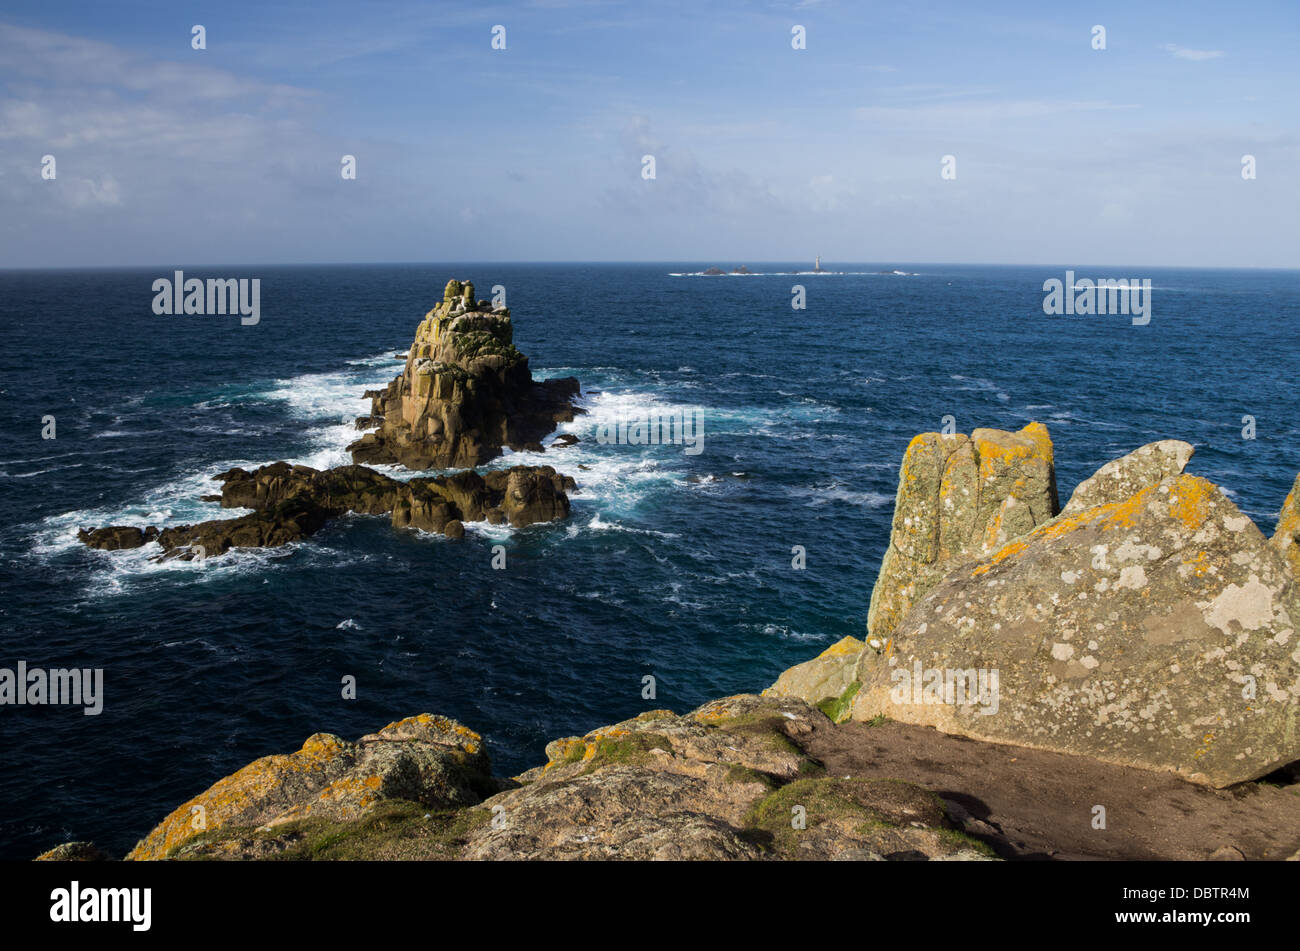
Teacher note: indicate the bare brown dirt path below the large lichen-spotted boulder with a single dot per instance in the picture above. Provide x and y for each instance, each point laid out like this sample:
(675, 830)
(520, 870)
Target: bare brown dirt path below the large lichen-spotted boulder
(1032, 805)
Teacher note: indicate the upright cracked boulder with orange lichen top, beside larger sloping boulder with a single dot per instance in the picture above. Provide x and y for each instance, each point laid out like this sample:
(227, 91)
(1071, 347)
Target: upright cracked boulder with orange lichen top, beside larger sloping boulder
(960, 498)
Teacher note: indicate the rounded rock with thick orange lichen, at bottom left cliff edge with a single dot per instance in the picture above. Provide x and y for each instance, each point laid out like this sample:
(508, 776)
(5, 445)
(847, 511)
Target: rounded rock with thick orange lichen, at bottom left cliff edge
(426, 759)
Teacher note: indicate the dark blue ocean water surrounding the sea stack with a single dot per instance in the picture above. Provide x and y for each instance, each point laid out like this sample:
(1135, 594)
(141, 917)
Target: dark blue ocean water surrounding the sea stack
(671, 566)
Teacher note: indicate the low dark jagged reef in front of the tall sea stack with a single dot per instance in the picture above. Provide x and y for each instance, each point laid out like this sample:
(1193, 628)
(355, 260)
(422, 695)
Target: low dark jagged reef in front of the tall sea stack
(294, 502)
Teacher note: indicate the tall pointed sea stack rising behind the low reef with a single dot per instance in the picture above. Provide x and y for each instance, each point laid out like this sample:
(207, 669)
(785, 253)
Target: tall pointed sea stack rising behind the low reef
(465, 394)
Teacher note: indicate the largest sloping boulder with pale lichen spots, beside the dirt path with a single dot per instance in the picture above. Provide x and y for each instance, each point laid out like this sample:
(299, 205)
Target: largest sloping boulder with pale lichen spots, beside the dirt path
(1158, 632)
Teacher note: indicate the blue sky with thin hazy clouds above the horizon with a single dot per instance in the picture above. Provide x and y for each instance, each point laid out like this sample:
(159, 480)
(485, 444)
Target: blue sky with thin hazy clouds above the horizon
(1064, 154)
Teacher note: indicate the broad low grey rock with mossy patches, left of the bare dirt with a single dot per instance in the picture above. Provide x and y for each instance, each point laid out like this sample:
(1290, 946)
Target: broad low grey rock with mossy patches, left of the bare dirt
(727, 781)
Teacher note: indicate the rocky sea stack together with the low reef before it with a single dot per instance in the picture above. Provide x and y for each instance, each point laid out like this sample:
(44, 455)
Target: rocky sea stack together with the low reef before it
(466, 393)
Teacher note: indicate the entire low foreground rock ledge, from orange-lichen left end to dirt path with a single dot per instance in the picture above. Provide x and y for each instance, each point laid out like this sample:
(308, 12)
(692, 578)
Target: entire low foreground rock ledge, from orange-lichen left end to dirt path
(730, 780)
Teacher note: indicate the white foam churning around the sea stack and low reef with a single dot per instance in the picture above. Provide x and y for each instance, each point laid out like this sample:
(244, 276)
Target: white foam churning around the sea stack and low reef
(614, 484)
